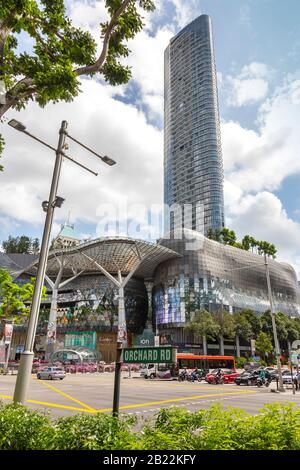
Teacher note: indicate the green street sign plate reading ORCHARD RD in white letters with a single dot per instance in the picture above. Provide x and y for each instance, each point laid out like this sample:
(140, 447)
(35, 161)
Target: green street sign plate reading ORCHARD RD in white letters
(144, 355)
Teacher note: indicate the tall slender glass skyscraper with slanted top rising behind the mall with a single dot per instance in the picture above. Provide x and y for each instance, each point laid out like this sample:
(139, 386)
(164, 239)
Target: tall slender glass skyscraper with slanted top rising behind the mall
(193, 168)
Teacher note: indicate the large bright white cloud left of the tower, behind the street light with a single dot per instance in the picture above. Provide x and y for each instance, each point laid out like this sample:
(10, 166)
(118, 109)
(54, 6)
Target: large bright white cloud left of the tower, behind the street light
(106, 125)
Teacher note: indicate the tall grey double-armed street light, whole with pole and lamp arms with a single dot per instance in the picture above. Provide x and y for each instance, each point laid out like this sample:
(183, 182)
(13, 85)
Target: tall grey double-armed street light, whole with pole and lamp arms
(25, 367)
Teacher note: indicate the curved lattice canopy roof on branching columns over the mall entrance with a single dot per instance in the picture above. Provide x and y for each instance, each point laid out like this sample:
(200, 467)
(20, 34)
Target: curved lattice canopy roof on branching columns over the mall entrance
(112, 253)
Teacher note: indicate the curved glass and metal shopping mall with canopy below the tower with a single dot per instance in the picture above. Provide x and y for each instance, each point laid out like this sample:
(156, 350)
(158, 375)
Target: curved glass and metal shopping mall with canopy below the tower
(168, 282)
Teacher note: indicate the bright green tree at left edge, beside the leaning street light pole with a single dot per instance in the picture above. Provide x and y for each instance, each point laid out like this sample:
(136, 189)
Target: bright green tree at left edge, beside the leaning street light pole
(14, 298)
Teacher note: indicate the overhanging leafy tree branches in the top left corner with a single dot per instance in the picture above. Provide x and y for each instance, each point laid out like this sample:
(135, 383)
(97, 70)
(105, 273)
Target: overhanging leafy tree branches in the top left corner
(61, 53)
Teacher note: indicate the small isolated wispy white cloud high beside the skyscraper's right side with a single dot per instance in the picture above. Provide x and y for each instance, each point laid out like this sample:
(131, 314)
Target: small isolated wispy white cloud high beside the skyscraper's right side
(250, 86)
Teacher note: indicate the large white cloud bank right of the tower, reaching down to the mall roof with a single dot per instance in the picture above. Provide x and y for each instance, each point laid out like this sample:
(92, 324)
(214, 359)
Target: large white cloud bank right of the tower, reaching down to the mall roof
(257, 162)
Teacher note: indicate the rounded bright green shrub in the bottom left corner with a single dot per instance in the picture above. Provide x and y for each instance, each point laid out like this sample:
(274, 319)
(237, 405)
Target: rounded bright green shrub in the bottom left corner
(22, 429)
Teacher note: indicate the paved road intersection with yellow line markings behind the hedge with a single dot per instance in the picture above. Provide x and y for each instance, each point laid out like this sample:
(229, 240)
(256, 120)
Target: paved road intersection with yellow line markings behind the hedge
(92, 393)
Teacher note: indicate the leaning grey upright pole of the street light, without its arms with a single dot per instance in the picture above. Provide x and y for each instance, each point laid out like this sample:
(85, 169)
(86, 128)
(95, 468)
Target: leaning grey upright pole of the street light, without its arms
(24, 372)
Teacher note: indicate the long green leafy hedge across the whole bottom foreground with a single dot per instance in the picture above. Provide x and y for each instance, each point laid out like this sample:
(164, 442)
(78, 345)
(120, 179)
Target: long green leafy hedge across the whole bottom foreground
(275, 427)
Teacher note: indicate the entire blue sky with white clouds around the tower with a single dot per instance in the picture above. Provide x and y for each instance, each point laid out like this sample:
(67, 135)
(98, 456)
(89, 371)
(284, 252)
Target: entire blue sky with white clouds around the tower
(257, 45)
